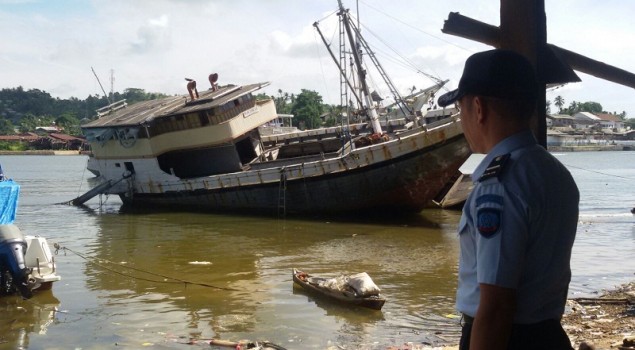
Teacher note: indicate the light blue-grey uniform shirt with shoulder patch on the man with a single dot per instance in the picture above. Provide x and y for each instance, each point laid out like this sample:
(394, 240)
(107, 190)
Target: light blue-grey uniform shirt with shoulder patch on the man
(517, 230)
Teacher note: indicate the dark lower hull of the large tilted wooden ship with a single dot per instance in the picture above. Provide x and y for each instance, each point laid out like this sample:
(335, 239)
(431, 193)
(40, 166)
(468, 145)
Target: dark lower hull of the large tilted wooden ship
(397, 185)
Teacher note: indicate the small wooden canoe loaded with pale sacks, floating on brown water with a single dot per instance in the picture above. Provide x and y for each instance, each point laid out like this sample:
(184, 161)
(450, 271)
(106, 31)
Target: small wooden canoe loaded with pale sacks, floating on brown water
(358, 289)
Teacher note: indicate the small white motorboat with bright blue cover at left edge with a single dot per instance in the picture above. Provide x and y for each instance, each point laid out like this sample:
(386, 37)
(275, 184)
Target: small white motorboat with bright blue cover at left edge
(26, 262)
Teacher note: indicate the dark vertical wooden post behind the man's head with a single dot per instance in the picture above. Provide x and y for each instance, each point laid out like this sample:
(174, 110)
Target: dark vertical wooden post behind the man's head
(524, 30)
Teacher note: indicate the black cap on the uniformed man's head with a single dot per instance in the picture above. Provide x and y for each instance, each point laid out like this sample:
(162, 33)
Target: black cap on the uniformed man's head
(495, 73)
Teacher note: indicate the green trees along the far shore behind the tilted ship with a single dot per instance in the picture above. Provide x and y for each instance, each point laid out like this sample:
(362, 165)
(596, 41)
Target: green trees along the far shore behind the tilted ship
(24, 110)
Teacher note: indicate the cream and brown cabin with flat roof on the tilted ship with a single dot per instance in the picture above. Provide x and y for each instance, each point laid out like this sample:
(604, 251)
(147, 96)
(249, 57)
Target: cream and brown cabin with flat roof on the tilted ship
(209, 133)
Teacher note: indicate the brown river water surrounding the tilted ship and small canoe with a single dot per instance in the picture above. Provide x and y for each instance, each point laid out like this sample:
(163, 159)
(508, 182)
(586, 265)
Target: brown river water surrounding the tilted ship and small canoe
(229, 277)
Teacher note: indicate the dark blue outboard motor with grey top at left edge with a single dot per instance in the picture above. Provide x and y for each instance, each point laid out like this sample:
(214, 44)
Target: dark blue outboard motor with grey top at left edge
(14, 272)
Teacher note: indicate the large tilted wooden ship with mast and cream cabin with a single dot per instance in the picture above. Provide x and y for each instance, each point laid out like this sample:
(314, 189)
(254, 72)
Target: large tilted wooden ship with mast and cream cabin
(205, 151)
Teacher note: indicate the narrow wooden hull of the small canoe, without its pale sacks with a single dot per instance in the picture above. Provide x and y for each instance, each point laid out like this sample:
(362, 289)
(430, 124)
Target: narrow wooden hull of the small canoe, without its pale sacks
(312, 284)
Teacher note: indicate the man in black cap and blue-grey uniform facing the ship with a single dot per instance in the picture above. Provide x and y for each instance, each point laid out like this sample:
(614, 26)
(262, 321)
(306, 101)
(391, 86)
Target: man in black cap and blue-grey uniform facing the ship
(520, 220)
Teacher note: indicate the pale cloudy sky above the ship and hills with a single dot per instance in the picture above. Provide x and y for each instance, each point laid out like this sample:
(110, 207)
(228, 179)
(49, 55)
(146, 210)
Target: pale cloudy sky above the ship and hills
(51, 45)
